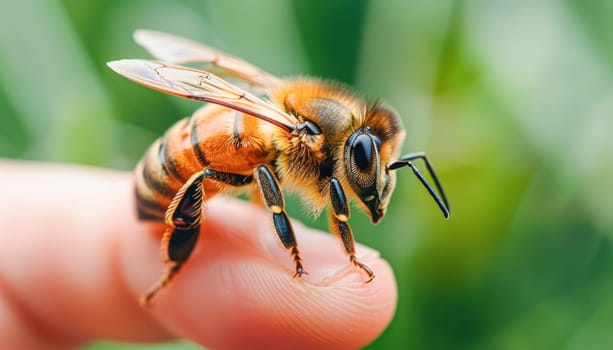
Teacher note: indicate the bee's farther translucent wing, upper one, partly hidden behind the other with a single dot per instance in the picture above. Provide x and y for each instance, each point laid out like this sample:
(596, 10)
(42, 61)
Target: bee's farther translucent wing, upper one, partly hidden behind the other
(178, 50)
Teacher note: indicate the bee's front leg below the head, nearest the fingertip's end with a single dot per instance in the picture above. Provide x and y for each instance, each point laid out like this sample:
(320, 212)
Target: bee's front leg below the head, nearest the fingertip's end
(339, 215)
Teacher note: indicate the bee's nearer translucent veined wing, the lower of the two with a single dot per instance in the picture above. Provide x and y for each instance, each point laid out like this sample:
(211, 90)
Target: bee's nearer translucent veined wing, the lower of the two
(202, 86)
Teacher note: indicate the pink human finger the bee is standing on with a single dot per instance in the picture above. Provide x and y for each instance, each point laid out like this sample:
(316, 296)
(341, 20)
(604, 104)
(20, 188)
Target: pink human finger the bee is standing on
(74, 261)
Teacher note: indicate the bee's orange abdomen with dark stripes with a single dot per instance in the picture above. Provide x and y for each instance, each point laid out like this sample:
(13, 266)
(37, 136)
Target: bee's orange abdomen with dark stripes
(214, 137)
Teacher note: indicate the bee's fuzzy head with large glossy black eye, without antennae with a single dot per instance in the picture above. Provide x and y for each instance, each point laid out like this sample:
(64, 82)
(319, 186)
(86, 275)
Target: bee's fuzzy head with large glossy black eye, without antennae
(366, 155)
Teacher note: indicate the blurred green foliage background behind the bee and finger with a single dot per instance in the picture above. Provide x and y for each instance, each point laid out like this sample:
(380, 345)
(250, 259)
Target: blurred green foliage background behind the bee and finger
(513, 102)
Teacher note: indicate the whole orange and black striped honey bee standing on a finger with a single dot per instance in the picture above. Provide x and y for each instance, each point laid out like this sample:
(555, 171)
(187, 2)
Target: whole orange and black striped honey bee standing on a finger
(306, 134)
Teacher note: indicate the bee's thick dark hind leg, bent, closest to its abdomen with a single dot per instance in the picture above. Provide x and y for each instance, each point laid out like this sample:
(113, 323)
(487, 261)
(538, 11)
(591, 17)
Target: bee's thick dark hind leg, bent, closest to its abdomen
(183, 223)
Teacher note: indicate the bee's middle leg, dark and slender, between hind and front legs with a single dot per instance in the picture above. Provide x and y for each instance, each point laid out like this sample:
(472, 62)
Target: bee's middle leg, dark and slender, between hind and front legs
(273, 197)
